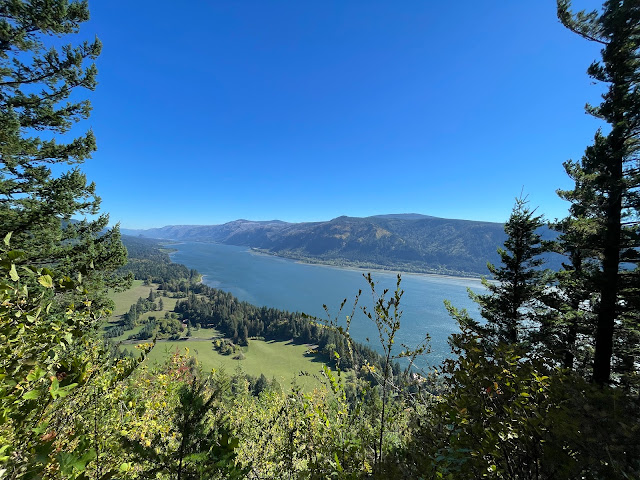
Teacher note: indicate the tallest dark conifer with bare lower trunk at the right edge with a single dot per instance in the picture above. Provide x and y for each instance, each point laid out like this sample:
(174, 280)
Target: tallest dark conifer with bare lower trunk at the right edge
(605, 200)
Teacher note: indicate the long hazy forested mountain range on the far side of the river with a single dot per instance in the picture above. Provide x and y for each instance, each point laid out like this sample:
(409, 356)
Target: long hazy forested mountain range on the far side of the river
(405, 242)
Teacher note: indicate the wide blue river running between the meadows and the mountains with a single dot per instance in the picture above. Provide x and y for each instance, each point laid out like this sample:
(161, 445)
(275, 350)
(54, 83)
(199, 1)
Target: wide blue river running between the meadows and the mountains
(289, 285)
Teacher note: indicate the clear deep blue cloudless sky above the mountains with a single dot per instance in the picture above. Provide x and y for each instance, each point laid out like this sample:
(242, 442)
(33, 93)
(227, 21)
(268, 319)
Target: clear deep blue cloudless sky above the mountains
(209, 111)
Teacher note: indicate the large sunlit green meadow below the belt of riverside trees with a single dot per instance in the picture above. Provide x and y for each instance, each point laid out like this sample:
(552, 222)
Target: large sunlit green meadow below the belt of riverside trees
(282, 360)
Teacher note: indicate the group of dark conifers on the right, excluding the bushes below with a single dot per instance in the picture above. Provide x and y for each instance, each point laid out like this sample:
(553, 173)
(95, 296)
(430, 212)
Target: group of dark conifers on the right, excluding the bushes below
(584, 316)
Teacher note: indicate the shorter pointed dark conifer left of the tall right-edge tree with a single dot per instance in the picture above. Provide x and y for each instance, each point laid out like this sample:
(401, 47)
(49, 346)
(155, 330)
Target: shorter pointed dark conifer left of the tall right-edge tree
(511, 306)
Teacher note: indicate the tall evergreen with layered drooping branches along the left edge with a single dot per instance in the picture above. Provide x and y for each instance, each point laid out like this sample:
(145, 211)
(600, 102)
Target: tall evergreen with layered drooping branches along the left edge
(39, 104)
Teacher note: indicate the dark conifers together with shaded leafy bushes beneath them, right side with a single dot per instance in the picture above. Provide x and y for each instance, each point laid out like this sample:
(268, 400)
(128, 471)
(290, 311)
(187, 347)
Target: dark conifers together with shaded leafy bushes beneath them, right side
(546, 385)
